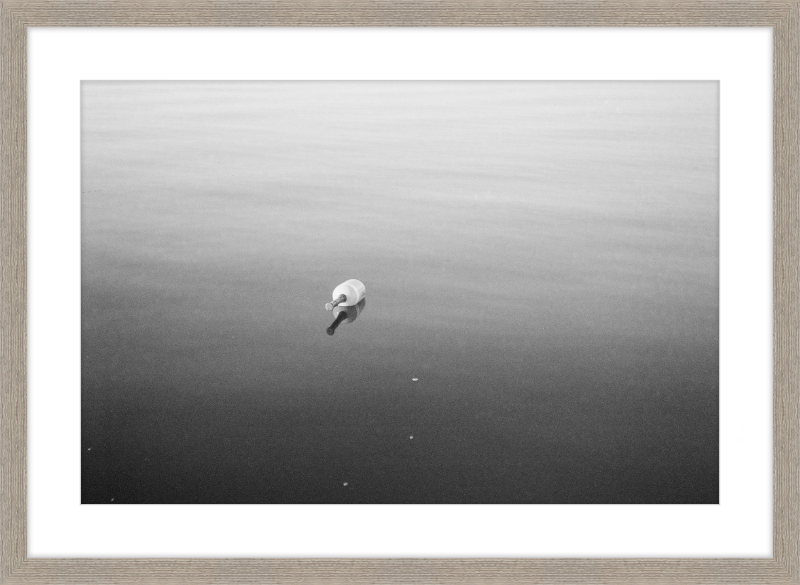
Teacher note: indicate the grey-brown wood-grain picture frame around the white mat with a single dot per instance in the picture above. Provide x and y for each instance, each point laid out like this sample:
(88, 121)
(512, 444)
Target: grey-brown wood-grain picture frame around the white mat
(16, 567)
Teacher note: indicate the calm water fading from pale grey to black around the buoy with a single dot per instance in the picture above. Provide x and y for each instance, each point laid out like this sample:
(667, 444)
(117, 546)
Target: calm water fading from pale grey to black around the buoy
(541, 266)
